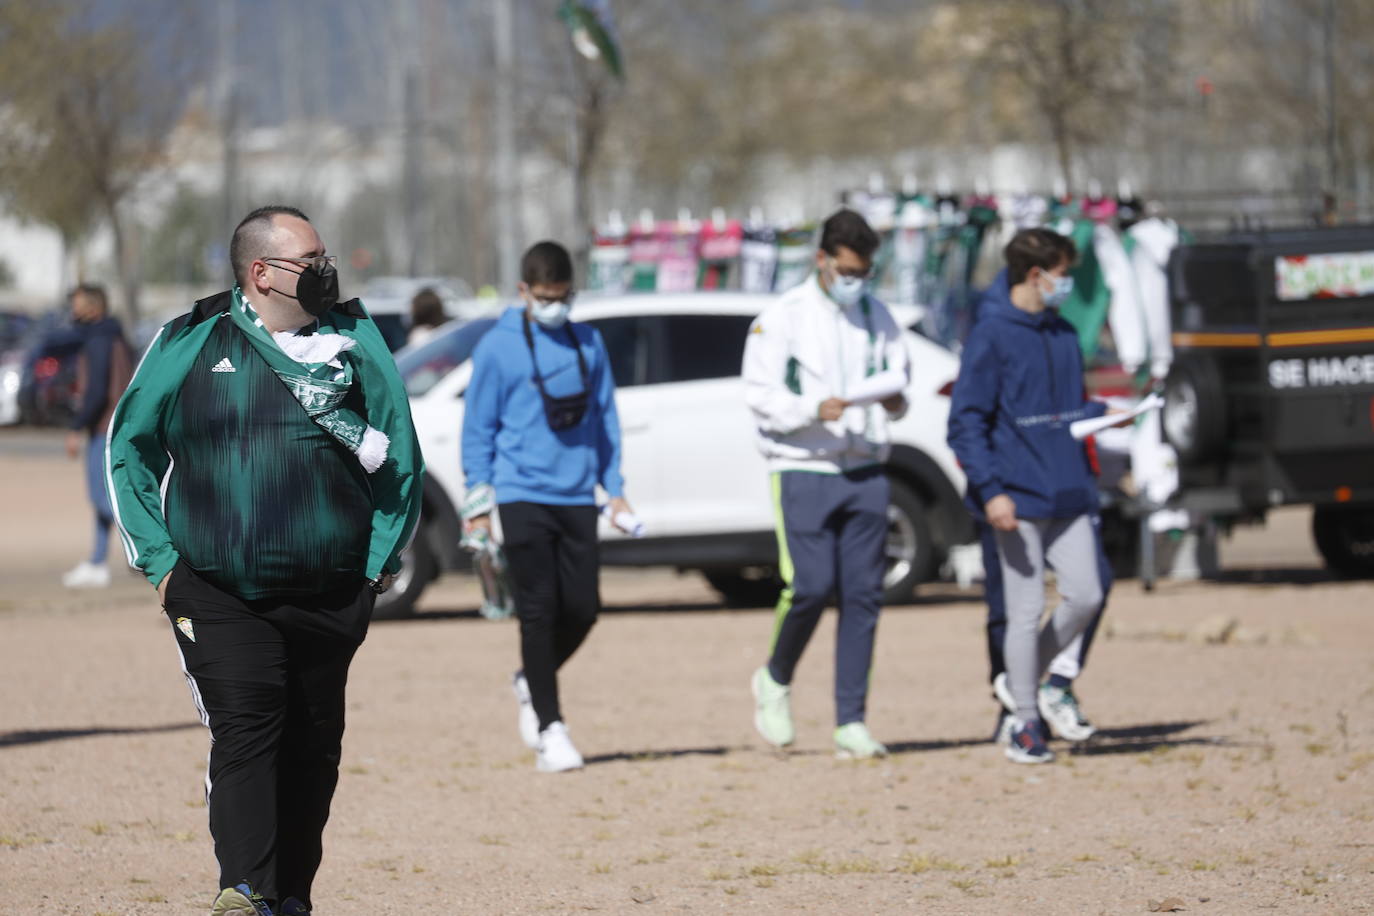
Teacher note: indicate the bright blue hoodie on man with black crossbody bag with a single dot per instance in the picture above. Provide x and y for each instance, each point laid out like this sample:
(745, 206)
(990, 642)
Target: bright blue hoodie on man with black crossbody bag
(506, 437)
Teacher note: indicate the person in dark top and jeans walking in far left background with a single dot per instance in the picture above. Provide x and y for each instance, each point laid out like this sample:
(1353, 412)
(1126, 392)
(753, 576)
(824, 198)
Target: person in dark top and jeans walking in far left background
(104, 370)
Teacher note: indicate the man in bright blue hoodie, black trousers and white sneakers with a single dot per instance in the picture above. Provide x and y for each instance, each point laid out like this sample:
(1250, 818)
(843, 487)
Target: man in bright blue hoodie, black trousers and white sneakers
(541, 432)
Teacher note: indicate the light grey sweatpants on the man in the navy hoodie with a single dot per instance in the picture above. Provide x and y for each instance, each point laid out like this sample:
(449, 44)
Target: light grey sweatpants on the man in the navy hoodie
(1070, 549)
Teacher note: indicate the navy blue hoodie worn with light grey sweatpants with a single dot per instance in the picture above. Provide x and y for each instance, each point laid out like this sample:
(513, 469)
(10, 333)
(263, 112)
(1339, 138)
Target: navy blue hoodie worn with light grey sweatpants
(1020, 387)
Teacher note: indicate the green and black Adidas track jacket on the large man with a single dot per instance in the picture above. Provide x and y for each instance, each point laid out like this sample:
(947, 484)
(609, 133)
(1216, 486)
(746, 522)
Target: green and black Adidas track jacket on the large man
(214, 462)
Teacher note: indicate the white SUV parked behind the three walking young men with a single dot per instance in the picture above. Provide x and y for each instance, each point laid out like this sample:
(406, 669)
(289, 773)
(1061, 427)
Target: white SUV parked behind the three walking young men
(692, 469)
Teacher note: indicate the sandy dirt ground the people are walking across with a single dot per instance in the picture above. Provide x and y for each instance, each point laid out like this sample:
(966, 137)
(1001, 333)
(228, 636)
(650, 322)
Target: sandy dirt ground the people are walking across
(1235, 778)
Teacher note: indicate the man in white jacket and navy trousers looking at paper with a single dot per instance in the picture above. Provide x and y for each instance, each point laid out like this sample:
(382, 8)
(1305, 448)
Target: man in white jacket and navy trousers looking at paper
(825, 369)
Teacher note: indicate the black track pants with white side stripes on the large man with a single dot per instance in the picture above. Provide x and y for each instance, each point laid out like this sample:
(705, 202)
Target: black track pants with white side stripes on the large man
(267, 678)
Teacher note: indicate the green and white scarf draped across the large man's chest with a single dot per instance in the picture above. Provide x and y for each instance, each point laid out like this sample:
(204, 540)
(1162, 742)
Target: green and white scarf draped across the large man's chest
(318, 370)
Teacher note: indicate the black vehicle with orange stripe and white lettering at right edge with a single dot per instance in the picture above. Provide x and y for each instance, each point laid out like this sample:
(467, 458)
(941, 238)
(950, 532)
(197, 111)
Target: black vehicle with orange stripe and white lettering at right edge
(1270, 400)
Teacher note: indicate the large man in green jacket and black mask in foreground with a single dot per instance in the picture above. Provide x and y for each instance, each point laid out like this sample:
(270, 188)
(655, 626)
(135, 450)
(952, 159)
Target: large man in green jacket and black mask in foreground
(266, 477)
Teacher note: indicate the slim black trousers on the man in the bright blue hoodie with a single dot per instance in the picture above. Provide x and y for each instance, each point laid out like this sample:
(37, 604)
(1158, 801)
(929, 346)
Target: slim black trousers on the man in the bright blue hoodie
(554, 561)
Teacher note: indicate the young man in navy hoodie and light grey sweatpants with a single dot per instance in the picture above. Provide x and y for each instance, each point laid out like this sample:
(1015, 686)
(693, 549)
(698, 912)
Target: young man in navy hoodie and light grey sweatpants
(1020, 388)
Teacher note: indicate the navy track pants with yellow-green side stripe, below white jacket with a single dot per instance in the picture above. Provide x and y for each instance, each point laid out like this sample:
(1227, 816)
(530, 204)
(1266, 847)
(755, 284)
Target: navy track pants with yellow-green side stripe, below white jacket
(832, 532)
